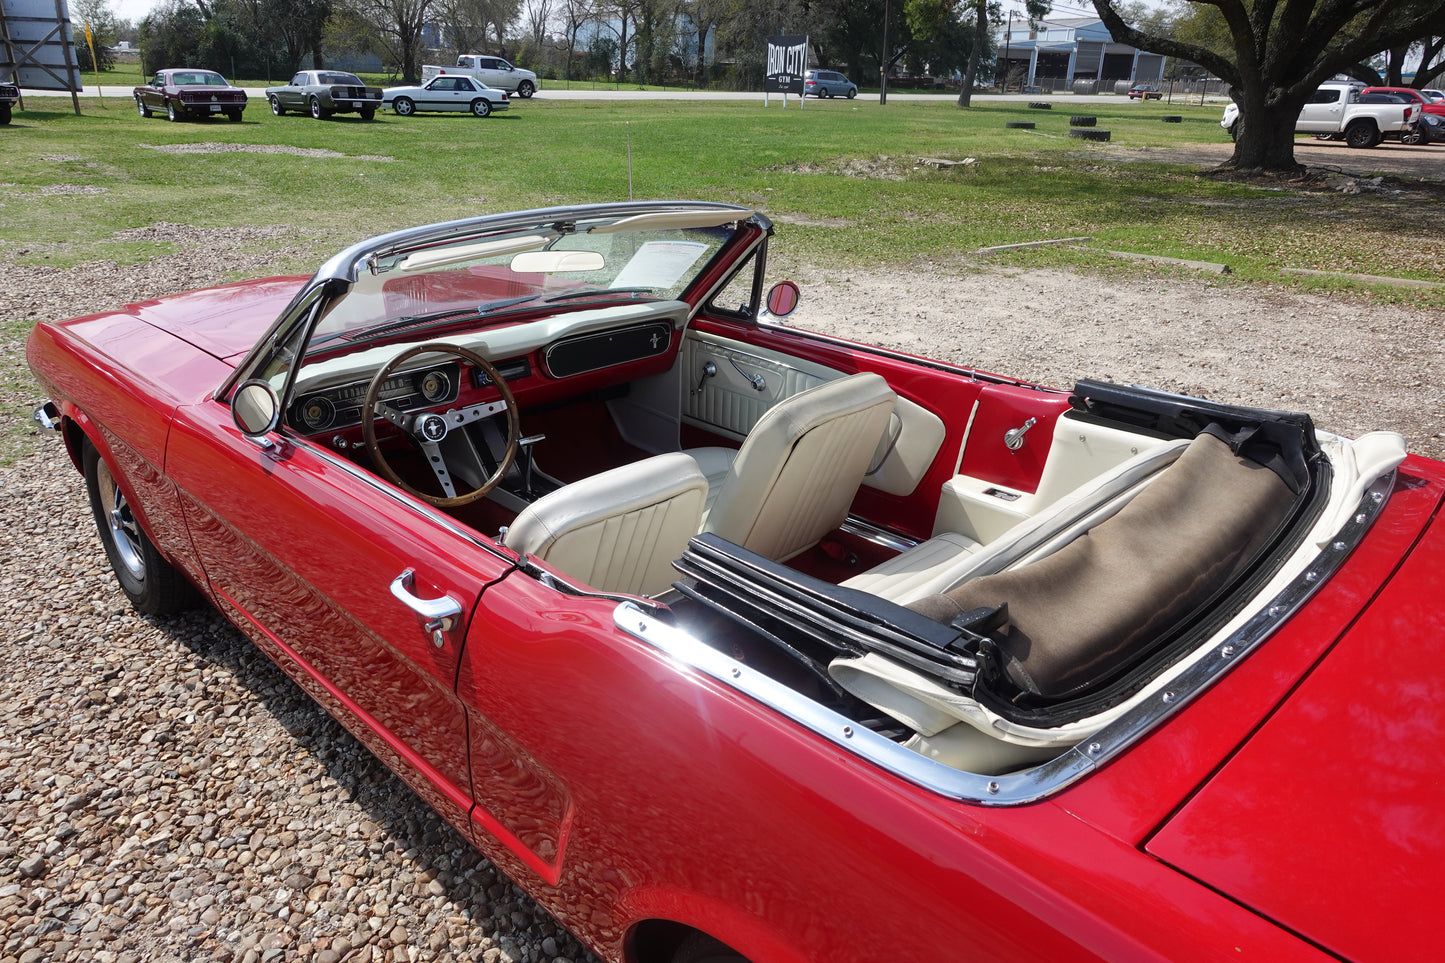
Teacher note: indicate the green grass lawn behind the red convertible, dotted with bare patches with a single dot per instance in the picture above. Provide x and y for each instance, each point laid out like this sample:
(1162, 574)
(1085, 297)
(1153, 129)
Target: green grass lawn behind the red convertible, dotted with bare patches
(842, 177)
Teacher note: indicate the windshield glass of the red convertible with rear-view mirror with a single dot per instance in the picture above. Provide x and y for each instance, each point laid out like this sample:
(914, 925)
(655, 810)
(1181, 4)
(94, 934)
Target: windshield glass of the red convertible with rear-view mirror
(504, 277)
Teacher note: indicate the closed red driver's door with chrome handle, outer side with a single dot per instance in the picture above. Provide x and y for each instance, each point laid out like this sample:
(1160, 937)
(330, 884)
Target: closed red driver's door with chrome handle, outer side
(307, 553)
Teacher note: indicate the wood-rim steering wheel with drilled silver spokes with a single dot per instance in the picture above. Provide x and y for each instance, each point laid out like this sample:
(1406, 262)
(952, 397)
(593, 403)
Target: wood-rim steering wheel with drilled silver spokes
(427, 430)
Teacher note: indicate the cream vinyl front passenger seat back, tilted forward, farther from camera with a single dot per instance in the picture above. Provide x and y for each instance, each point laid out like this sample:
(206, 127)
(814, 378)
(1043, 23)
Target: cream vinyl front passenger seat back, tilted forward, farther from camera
(801, 466)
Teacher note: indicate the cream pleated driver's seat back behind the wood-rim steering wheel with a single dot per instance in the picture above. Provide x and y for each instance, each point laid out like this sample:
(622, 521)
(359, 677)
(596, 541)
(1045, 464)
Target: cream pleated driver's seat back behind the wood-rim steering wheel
(618, 531)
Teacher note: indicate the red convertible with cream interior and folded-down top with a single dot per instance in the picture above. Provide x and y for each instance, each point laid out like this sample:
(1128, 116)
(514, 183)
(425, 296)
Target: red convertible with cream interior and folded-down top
(729, 641)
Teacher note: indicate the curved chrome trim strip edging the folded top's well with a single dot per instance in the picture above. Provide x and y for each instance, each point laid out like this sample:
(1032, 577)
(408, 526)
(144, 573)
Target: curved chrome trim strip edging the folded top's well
(1040, 783)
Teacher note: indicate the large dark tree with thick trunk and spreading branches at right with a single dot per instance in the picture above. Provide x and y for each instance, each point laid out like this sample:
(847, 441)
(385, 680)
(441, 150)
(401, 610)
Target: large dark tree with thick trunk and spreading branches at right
(1275, 53)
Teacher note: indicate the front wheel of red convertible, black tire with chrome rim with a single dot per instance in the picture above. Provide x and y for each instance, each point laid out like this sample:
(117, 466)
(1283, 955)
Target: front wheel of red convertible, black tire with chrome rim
(152, 585)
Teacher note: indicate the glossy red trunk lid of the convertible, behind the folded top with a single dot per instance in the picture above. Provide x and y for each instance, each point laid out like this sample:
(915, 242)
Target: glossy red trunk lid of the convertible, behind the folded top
(1332, 819)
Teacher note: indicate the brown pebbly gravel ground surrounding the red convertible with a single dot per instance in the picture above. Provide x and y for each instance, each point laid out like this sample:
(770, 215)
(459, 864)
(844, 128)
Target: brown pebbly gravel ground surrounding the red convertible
(167, 795)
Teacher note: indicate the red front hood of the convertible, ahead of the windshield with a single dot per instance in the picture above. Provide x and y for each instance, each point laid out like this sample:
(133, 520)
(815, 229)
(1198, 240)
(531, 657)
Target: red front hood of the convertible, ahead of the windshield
(222, 322)
